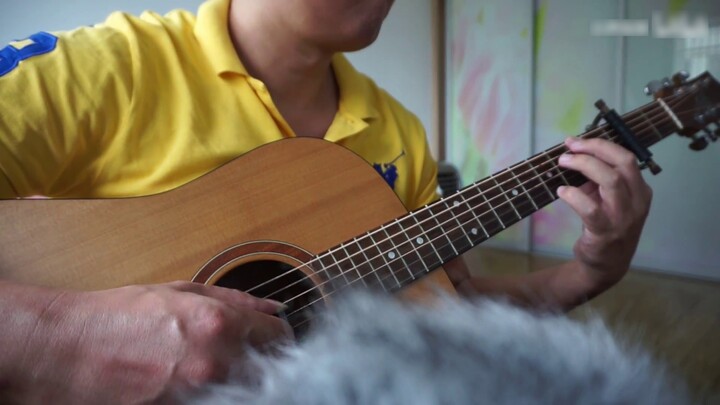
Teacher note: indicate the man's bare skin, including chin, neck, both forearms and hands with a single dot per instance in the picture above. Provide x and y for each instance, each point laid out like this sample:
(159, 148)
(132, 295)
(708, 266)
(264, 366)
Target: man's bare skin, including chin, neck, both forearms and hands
(141, 343)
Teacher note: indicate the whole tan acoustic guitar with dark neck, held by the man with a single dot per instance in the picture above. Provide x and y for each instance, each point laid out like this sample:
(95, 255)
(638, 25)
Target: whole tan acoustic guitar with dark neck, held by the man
(302, 220)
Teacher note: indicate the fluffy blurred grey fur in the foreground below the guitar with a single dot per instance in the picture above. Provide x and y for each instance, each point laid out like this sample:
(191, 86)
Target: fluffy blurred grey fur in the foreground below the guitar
(371, 349)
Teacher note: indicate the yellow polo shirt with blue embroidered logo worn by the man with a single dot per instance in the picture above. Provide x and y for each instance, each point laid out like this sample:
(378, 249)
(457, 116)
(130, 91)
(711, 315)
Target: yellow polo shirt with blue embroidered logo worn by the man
(141, 105)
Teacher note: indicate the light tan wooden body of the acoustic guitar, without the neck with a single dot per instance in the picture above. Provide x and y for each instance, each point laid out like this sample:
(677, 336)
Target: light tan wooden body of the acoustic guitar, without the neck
(283, 202)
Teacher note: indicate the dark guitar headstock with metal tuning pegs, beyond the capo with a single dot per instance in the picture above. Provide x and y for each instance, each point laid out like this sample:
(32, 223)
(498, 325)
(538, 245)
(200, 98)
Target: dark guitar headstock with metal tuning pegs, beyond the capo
(695, 103)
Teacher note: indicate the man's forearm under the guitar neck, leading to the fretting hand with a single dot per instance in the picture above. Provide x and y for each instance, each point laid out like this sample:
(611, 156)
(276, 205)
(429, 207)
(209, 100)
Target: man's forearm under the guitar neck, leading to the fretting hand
(559, 288)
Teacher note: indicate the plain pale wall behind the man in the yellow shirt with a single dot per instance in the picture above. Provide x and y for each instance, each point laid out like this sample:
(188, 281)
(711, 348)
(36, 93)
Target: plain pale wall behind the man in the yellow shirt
(400, 60)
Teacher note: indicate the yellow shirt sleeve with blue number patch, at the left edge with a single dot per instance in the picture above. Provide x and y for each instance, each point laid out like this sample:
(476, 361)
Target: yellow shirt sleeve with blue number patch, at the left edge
(52, 88)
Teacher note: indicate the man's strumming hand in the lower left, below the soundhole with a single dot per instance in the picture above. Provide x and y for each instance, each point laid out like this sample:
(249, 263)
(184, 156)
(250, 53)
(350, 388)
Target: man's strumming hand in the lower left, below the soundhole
(143, 343)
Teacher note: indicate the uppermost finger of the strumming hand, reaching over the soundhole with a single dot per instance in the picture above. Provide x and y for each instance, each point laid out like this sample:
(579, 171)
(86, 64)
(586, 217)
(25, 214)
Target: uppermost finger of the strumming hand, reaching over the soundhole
(230, 296)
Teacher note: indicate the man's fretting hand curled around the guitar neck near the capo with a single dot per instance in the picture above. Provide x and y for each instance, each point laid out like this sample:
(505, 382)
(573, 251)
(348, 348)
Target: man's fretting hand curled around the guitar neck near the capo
(613, 206)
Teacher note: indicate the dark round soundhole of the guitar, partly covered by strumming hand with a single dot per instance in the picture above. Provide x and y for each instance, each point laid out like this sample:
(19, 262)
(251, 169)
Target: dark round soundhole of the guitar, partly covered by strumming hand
(277, 281)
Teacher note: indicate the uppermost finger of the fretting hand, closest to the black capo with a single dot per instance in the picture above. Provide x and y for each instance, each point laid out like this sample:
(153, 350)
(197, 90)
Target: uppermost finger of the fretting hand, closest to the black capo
(609, 152)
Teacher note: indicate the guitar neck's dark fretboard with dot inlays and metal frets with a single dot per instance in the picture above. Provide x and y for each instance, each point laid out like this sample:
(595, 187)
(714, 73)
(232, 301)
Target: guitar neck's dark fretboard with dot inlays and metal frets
(397, 253)
